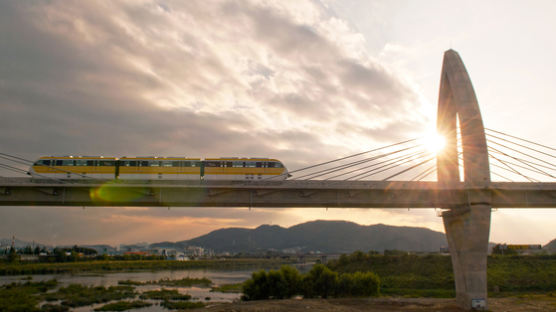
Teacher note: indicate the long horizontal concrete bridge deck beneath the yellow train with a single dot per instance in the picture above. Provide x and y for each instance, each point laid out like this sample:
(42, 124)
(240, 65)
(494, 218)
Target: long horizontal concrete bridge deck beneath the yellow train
(292, 193)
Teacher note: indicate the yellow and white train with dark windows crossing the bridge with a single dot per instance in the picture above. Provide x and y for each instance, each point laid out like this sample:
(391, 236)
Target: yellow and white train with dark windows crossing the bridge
(158, 168)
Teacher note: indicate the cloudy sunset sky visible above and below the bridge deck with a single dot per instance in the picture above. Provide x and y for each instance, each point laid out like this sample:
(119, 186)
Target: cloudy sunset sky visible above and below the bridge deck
(302, 81)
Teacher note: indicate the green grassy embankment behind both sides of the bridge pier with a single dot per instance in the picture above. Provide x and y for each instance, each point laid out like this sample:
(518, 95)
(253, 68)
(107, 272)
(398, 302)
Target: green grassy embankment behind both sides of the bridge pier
(432, 276)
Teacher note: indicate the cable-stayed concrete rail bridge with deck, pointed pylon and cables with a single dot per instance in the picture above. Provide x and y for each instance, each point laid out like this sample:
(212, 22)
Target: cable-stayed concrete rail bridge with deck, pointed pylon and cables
(466, 202)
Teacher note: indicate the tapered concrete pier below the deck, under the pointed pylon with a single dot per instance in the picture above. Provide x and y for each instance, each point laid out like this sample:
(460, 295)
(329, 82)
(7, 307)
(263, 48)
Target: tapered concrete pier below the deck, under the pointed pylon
(467, 230)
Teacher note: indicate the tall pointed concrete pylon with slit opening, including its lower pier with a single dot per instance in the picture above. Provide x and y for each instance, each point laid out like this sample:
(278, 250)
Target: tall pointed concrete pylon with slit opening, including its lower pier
(467, 227)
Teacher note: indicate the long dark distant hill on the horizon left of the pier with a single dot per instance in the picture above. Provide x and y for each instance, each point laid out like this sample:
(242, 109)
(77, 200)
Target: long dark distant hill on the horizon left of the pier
(323, 236)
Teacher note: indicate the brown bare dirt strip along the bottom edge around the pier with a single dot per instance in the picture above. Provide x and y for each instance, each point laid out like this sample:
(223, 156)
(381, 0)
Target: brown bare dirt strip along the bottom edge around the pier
(543, 304)
